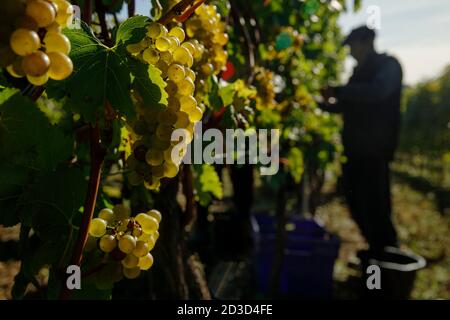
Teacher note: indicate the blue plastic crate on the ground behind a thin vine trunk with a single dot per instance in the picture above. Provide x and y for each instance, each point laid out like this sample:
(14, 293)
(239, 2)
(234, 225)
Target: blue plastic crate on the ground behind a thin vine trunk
(308, 262)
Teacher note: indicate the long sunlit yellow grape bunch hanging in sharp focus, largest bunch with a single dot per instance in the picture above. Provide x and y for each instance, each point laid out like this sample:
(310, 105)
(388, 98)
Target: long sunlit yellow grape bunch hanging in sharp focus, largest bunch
(153, 156)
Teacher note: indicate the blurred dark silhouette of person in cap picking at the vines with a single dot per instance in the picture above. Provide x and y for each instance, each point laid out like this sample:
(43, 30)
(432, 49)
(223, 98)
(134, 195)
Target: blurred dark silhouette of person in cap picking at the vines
(370, 105)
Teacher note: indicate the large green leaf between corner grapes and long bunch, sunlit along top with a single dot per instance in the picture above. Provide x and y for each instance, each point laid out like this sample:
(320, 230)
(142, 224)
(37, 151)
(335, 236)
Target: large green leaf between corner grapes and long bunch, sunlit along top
(100, 75)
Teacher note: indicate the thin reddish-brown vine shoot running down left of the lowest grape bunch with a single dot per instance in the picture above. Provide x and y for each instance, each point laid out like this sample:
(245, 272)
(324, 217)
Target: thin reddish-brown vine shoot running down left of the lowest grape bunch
(97, 159)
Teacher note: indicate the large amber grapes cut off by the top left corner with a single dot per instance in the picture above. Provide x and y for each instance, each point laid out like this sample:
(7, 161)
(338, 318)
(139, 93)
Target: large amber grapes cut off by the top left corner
(31, 41)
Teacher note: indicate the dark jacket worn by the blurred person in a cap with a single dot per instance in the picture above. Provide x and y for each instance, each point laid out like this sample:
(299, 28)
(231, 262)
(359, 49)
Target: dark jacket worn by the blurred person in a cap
(370, 104)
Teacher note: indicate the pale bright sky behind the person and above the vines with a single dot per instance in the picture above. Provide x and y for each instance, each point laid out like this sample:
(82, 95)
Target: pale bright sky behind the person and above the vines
(417, 32)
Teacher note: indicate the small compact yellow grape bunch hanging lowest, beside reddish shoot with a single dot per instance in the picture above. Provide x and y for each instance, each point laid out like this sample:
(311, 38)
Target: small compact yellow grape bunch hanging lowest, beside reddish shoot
(125, 239)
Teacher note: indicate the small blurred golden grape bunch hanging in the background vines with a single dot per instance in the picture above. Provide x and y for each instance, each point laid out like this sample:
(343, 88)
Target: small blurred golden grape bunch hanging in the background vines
(264, 84)
